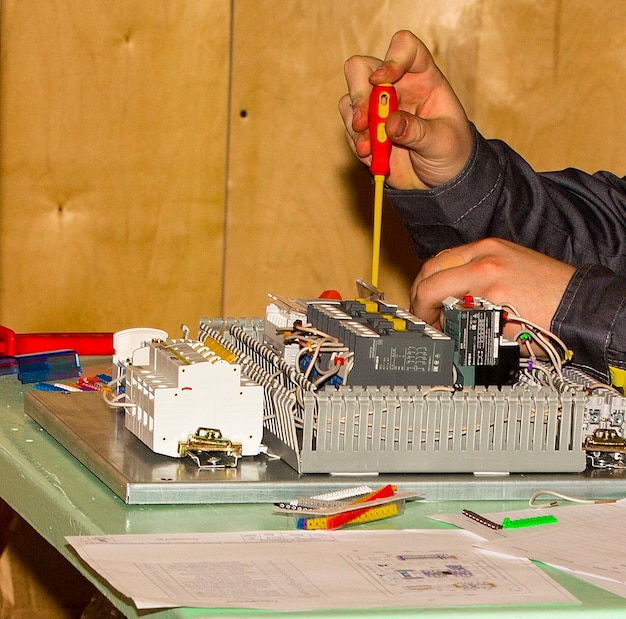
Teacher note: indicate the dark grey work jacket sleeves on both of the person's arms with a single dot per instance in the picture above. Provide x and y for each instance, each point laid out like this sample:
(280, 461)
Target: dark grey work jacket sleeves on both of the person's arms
(572, 216)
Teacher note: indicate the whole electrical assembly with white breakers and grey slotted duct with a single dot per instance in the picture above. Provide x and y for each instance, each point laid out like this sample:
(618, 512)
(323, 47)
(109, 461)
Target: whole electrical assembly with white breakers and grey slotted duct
(409, 398)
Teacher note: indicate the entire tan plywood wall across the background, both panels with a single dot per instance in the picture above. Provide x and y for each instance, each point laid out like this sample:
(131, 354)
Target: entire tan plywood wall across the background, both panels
(164, 160)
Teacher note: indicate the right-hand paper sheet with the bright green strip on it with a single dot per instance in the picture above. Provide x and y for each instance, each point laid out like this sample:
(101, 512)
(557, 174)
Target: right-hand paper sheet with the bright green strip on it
(586, 540)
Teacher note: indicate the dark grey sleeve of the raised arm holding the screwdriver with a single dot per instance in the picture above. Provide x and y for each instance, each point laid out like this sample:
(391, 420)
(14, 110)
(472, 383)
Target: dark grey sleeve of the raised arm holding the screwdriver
(569, 215)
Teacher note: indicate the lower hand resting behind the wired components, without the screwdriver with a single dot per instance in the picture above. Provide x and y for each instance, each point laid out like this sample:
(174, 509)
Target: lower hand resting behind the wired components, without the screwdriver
(497, 270)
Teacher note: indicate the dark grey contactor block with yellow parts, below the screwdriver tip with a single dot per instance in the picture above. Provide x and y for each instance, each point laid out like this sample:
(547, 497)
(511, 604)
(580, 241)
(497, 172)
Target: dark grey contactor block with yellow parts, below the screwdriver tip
(390, 346)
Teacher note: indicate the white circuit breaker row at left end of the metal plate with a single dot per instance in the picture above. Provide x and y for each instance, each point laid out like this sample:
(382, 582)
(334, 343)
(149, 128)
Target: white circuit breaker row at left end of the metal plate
(174, 387)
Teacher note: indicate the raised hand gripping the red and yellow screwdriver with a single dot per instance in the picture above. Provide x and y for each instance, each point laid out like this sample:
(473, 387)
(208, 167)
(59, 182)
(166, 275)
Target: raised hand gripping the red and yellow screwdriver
(430, 126)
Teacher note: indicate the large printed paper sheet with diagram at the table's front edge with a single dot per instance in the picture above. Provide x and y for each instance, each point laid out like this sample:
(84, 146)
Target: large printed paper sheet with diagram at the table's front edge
(303, 570)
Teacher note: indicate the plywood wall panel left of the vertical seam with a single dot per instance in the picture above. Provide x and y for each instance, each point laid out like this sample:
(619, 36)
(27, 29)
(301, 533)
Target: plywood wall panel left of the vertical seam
(113, 142)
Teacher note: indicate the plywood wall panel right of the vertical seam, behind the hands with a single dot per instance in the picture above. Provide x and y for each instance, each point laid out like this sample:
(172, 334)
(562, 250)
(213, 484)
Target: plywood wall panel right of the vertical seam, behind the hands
(544, 76)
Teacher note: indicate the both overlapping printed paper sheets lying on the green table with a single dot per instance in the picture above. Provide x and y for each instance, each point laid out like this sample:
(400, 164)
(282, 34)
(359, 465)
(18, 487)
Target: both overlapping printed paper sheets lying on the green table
(478, 564)
